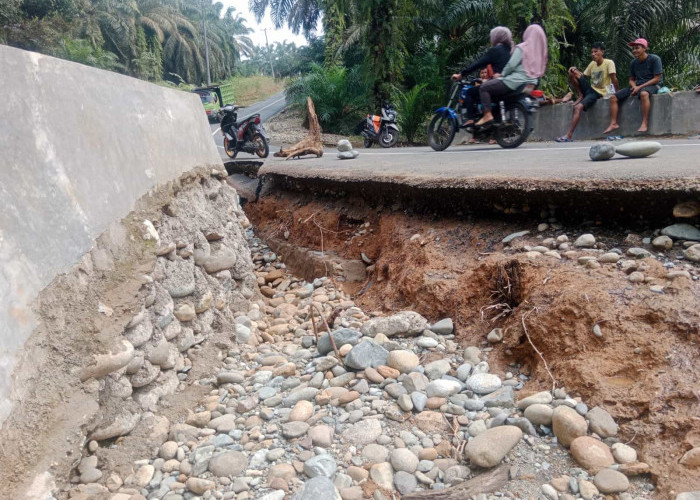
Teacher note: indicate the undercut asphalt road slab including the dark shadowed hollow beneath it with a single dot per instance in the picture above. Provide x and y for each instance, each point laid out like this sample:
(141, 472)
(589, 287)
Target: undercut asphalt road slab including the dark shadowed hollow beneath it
(561, 182)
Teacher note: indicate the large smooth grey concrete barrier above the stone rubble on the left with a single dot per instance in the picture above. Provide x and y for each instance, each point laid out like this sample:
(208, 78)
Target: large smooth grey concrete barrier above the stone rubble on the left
(78, 147)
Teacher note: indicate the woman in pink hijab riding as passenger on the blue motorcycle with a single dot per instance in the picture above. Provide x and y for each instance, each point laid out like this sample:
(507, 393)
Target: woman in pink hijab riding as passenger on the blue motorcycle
(526, 65)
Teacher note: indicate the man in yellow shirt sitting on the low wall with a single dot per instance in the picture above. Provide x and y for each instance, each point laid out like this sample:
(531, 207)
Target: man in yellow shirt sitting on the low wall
(591, 85)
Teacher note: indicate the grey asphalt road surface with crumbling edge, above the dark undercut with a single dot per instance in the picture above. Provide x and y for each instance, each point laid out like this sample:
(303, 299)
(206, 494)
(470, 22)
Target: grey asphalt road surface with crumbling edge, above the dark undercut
(676, 165)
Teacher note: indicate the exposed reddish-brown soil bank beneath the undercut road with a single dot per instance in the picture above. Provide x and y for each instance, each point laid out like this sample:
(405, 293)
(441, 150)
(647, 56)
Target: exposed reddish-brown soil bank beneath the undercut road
(644, 368)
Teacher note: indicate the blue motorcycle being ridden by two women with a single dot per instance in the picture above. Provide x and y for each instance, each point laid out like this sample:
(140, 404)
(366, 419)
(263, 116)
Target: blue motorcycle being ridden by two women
(512, 118)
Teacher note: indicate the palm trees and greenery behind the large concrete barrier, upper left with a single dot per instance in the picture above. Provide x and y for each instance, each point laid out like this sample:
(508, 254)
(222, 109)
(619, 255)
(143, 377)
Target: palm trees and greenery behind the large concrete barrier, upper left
(150, 39)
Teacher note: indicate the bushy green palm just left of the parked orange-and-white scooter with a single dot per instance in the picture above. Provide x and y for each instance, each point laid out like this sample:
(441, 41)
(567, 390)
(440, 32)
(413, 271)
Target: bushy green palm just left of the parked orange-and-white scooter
(340, 96)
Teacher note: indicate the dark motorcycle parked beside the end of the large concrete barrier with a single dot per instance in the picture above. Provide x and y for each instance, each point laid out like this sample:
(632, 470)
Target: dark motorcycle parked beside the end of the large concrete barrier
(247, 136)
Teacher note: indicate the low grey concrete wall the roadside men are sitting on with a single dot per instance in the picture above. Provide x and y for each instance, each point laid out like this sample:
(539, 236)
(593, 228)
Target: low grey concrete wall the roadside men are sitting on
(677, 114)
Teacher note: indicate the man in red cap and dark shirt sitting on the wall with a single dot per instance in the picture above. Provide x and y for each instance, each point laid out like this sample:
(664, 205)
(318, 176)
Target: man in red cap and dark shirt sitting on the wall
(645, 79)
